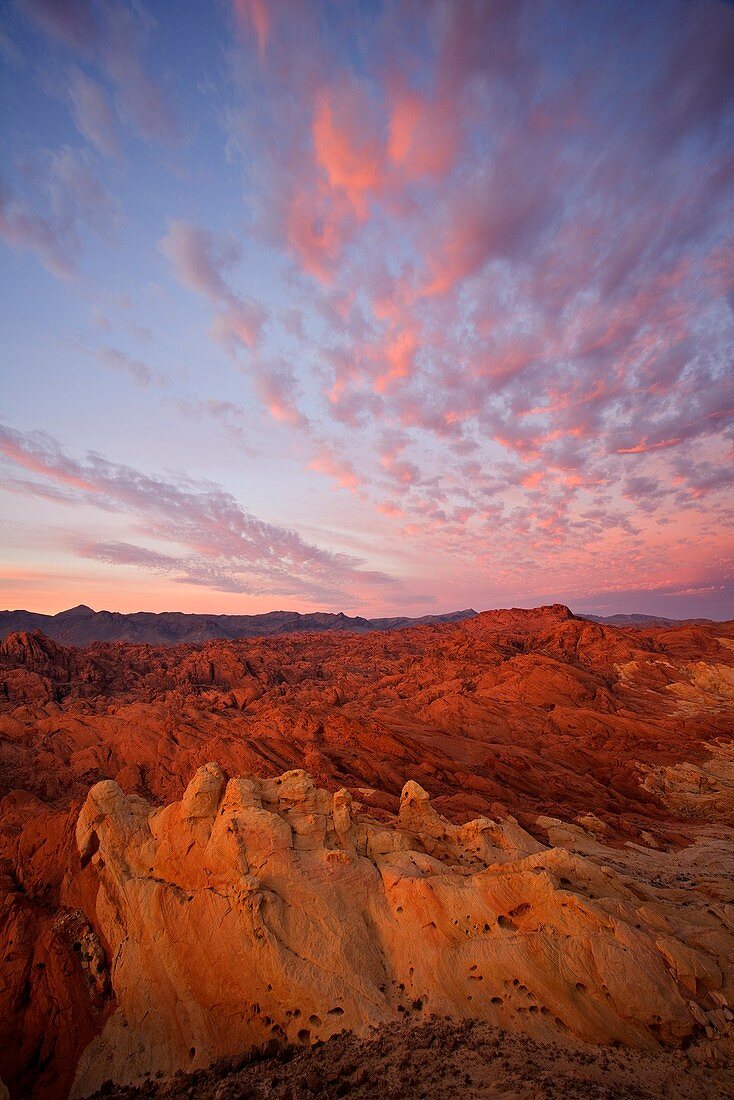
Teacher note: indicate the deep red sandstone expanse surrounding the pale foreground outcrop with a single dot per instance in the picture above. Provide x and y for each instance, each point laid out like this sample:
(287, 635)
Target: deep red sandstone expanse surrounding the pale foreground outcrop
(535, 714)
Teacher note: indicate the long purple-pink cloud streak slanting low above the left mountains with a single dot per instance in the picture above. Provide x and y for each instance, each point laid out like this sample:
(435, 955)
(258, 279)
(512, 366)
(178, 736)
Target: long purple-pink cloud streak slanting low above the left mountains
(224, 546)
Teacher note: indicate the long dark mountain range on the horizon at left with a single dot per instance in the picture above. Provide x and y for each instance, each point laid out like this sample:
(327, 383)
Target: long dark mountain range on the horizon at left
(80, 626)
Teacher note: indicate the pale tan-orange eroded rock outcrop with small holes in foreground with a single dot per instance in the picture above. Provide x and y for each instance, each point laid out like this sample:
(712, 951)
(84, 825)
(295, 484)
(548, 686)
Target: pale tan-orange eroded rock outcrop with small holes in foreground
(270, 908)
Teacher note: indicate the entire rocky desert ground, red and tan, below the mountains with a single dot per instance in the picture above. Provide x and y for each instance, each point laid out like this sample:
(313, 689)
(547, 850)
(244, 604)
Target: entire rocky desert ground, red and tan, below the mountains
(503, 843)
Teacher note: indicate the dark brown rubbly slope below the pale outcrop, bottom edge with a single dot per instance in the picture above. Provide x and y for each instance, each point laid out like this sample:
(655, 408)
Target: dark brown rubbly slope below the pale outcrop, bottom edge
(455, 1062)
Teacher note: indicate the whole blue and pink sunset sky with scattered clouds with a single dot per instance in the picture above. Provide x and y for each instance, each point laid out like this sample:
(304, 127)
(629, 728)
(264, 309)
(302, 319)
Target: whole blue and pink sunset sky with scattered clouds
(376, 307)
